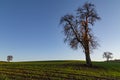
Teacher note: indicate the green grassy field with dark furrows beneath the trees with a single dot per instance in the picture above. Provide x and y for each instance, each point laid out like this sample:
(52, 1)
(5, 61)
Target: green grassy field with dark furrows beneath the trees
(59, 70)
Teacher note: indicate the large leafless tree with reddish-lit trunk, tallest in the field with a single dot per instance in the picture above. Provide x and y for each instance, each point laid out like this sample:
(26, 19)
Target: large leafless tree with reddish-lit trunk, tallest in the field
(77, 29)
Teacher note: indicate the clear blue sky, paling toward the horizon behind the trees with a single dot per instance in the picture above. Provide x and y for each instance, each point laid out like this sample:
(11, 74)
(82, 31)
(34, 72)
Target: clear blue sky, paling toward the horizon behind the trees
(30, 29)
